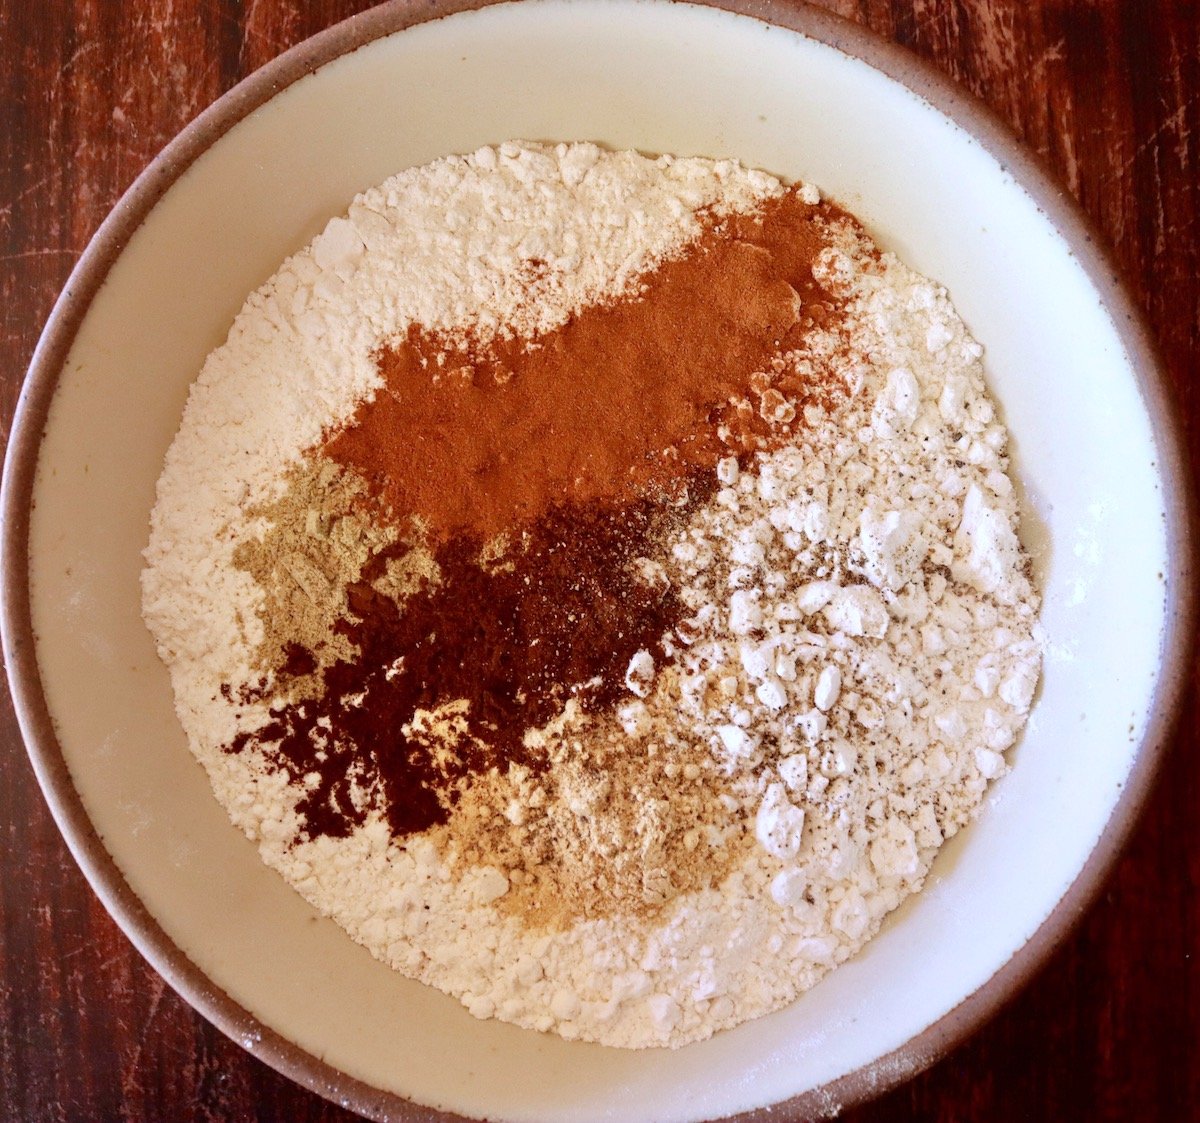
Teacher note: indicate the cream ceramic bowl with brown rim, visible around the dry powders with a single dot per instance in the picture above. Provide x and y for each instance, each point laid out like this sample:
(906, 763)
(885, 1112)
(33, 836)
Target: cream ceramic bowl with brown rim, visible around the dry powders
(257, 177)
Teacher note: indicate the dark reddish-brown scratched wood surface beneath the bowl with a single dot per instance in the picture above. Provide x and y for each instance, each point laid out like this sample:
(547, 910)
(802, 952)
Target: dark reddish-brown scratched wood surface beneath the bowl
(1107, 92)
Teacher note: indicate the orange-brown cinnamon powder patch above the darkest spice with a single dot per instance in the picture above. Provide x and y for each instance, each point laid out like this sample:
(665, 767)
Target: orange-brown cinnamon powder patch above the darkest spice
(626, 398)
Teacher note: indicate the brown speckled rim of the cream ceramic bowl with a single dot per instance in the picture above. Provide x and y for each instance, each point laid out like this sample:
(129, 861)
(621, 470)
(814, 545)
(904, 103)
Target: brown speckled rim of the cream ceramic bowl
(33, 407)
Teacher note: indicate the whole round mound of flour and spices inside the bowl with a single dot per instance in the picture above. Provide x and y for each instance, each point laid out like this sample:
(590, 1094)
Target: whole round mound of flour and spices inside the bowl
(593, 581)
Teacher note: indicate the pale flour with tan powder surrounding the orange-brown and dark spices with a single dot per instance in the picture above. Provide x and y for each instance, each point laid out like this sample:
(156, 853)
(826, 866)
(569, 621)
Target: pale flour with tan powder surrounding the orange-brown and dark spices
(857, 657)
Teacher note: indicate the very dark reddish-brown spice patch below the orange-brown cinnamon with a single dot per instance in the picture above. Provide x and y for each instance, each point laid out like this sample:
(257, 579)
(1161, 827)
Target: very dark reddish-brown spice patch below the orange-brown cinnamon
(563, 622)
